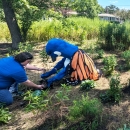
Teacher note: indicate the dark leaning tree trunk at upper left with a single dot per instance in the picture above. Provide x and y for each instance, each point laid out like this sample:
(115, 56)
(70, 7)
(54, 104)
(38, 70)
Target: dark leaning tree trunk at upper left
(12, 23)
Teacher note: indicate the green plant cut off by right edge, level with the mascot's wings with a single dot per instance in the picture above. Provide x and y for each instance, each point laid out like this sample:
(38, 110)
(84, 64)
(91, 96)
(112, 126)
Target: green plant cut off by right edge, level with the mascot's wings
(126, 56)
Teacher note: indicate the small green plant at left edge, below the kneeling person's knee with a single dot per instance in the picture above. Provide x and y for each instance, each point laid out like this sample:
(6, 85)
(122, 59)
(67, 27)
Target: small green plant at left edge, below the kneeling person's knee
(5, 115)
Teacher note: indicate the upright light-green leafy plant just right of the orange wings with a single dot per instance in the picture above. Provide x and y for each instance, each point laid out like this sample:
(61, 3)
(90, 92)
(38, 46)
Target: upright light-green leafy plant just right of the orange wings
(110, 63)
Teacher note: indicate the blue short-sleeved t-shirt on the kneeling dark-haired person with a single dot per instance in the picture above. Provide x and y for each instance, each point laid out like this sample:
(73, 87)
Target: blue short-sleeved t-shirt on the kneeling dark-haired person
(11, 71)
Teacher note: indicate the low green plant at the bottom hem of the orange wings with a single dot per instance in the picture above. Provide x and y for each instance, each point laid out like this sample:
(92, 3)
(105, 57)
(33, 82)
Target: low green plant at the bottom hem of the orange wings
(87, 84)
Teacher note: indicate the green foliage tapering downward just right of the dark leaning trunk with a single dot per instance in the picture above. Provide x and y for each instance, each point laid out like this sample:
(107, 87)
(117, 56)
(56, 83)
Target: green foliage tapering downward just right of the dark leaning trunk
(26, 14)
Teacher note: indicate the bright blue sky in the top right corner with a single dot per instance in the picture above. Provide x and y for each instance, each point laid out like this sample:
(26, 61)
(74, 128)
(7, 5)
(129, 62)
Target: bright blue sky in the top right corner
(121, 4)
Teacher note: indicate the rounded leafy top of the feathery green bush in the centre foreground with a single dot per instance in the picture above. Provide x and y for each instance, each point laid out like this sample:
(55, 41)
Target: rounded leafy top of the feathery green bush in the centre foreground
(86, 107)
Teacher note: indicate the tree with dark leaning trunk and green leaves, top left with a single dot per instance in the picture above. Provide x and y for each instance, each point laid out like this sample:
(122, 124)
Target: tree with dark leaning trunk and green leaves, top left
(22, 11)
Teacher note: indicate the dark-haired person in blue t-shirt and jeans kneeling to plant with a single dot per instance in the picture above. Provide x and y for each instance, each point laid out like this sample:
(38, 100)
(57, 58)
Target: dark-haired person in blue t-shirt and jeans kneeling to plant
(12, 70)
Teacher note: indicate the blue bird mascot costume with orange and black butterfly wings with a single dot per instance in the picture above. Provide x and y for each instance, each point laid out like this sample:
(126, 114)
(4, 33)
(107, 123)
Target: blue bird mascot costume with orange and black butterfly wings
(75, 65)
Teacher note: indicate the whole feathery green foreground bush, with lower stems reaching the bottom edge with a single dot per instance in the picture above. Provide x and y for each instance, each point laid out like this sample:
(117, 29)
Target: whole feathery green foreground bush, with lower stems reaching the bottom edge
(90, 109)
